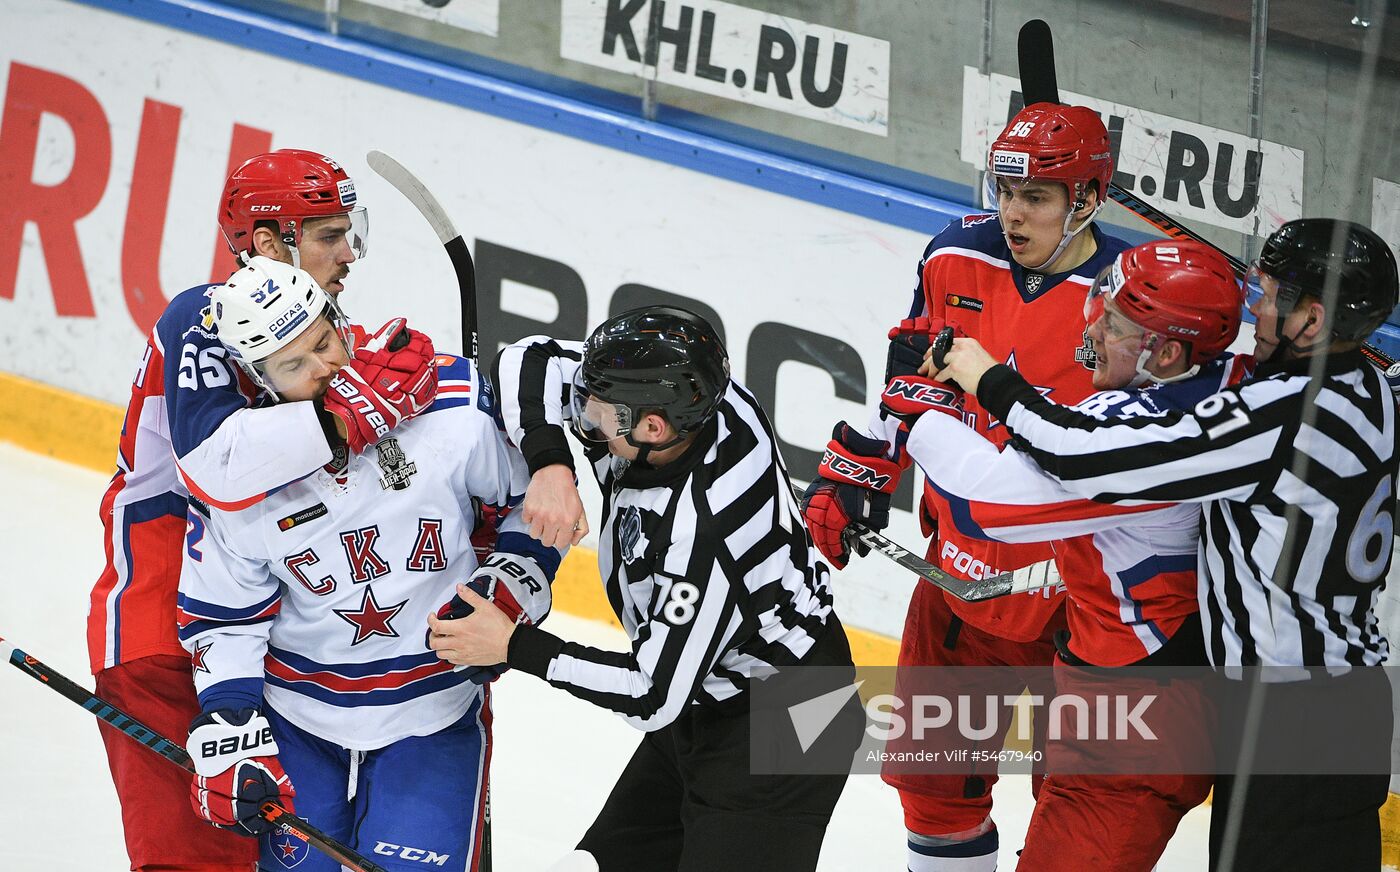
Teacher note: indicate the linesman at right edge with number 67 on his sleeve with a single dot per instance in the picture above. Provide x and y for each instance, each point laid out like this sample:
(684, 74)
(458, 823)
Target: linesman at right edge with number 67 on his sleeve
(1296, 471)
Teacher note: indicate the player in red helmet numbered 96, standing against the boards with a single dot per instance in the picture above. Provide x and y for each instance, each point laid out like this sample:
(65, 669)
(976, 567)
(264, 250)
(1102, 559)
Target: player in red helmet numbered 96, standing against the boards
(1017, 281)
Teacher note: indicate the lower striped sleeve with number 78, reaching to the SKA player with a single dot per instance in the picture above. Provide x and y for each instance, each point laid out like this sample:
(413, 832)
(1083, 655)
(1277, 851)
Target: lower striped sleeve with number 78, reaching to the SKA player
(691, 619)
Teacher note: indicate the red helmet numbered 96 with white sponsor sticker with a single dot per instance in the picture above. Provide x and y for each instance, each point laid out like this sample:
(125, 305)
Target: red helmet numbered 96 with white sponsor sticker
(1067, 145)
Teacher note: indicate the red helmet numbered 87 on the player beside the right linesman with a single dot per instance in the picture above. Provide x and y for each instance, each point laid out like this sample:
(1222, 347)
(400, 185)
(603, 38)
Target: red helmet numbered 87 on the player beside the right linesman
(1178, 290)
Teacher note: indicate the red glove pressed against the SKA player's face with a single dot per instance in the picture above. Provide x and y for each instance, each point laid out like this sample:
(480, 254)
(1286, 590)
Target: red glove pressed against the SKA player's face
(391, 379)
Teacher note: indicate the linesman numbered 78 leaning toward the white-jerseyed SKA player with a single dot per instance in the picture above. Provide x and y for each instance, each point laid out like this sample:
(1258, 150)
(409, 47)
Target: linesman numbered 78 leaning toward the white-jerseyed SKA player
(713, 576)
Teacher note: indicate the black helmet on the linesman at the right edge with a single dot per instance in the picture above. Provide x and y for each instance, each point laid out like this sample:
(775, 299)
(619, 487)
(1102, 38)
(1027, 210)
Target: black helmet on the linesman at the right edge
(1303, 254)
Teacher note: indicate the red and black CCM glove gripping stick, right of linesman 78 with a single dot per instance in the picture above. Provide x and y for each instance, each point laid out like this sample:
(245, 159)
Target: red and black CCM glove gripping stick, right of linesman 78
(853, 485)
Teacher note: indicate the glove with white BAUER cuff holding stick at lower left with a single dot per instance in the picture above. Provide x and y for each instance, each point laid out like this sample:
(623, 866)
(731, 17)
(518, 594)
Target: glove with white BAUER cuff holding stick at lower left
(236, 771)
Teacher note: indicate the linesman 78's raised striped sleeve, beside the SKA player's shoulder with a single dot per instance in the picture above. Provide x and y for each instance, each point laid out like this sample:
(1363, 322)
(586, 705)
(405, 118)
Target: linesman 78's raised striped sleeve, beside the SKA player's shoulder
(533, 379)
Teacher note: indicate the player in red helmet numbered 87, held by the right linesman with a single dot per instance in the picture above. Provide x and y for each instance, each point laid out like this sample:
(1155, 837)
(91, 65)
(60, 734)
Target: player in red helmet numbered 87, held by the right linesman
(1160, 321)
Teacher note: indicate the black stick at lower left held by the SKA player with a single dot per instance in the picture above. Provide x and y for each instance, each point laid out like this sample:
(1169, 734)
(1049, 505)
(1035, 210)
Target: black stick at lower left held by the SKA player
(271, 813)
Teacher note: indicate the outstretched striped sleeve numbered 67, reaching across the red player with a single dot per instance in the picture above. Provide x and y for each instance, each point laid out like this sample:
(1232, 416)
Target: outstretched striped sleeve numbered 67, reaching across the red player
(1221, 450)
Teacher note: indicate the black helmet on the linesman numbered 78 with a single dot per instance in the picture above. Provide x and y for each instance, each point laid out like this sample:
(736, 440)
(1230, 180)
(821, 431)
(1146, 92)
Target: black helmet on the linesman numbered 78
(656, 359)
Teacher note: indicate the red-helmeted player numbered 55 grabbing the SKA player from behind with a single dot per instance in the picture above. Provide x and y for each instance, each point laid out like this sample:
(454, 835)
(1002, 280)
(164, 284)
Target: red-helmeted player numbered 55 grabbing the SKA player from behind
(192, 428)
